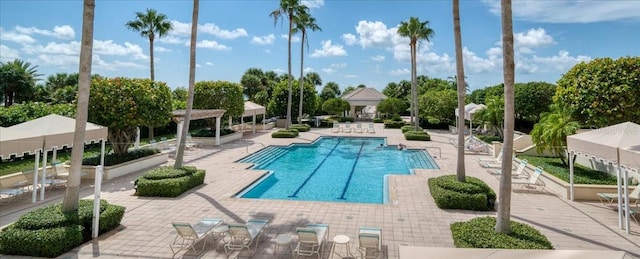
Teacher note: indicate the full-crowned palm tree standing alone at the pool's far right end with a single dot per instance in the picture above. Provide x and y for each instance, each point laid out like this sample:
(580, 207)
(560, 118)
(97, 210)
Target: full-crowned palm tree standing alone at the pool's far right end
(415, 30)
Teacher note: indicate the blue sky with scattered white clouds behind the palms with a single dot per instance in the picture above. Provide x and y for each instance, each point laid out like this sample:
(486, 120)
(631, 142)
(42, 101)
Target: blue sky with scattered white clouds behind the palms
(358, 43)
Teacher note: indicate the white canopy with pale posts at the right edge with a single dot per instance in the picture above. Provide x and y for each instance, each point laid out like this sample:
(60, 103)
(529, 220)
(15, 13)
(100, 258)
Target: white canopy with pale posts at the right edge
(618, 144)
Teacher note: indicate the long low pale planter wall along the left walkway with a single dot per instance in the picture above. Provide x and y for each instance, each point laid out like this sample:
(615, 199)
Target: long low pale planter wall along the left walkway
(137, 165)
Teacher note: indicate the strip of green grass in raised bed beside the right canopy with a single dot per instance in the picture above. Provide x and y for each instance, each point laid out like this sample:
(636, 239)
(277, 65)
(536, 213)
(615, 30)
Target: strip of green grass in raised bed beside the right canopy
(582, 175)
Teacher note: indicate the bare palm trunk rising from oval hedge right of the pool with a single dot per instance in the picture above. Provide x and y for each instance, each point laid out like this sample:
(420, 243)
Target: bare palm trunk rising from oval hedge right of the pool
(460, 170)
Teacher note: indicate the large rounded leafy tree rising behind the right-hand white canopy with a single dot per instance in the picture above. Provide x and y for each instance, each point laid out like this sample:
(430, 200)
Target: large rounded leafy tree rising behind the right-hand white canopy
(602, 92)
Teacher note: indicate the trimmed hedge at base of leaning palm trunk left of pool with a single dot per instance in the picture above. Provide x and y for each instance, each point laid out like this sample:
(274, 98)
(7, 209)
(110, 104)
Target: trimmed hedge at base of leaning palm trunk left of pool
(167, 181)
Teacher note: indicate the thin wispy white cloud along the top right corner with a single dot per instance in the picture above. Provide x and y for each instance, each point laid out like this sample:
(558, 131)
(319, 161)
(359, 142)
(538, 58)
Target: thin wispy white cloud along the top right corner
(570, 11)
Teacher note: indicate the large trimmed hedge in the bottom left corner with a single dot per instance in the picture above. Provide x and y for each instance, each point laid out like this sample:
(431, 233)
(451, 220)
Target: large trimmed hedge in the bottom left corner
(48, 232)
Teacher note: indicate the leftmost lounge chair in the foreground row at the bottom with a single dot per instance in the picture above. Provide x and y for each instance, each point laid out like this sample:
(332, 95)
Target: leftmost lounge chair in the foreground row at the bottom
(187, 235)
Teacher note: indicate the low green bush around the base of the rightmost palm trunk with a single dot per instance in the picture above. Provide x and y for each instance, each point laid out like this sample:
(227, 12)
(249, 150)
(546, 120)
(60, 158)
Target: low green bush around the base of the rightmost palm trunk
(480, 233)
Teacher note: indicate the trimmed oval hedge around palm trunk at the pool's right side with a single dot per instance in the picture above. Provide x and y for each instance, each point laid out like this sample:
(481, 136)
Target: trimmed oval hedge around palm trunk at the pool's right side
(474, 194)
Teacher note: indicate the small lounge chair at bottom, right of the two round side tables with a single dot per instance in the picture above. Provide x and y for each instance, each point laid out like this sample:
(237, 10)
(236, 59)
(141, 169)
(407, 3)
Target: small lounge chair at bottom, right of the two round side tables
(311, 240)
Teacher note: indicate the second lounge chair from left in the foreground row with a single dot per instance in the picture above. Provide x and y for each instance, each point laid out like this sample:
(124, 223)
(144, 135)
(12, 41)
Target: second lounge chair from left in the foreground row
(244, 235)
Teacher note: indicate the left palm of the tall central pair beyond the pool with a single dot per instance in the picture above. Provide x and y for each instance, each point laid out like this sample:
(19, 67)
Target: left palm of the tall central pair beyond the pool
(290, 9)
